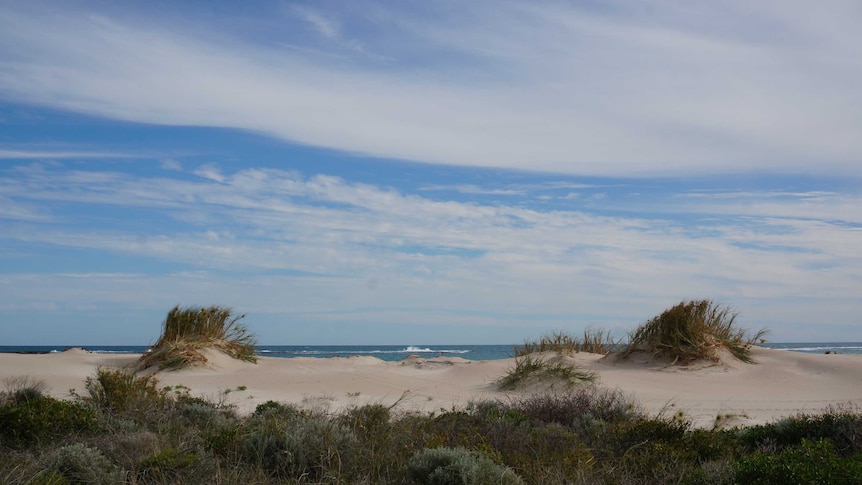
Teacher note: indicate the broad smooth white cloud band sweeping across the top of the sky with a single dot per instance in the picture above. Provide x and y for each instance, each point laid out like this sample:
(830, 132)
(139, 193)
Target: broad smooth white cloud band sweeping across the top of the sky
(616, 90)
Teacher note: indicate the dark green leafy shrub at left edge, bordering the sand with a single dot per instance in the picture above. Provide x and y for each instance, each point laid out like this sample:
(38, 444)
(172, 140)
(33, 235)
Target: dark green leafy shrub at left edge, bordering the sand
(34, 421)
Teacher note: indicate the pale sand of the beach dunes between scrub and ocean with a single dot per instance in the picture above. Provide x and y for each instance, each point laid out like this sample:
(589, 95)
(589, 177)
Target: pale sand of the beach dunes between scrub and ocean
(782, 383)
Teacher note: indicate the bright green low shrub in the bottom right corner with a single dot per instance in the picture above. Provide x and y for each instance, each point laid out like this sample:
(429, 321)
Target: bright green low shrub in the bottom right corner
(809, 462)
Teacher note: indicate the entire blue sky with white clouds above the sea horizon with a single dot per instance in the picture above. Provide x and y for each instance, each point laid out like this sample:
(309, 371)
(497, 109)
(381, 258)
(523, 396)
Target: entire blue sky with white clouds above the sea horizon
(412, 172)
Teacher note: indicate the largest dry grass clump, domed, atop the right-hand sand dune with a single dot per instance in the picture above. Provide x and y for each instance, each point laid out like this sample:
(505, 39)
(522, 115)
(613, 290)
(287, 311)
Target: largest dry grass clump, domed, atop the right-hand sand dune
(693, 330)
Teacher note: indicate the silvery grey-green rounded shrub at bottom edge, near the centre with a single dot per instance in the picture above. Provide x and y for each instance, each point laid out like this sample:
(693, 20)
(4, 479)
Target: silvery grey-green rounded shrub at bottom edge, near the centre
(457, 466)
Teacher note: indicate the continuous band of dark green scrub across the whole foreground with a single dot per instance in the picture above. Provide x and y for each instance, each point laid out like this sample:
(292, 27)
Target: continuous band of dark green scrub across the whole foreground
(585, 434)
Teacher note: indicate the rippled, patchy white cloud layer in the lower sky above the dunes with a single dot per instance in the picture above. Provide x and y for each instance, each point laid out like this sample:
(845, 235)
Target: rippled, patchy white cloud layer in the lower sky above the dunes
(322, 235)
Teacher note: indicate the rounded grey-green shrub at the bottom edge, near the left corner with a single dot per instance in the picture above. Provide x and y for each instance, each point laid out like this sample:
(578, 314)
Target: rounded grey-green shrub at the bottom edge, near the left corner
(80, 464)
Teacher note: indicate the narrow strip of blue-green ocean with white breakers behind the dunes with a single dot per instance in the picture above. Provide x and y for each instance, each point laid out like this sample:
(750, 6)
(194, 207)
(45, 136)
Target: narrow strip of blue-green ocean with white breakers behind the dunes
(399, 352)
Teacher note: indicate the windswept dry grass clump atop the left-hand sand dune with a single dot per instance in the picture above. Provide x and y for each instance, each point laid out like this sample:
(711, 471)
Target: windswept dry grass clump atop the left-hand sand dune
(188, 332)
